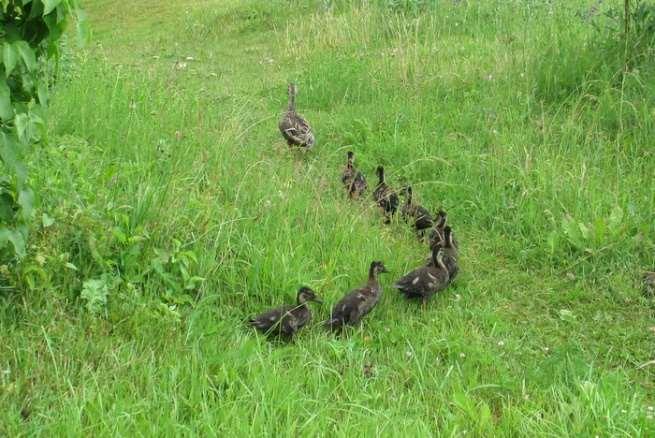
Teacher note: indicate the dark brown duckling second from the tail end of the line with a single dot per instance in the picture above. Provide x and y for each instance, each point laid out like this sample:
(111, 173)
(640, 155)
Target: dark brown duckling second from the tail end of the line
(358, 302)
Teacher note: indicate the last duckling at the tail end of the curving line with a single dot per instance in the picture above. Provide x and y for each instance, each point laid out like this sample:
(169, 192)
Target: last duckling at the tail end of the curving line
(286, 320)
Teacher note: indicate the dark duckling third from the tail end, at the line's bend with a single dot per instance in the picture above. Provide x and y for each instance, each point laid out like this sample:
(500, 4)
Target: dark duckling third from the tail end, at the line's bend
(427, 280)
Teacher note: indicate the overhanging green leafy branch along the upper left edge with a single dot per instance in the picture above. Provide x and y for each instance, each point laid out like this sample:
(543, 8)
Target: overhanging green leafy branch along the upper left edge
(28, 42)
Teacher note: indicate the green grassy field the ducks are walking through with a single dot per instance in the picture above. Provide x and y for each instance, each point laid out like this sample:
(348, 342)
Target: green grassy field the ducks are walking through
(509, 114)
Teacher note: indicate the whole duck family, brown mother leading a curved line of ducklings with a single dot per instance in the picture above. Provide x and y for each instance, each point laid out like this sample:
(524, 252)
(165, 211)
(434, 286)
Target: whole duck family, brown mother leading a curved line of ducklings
(433, 276)
